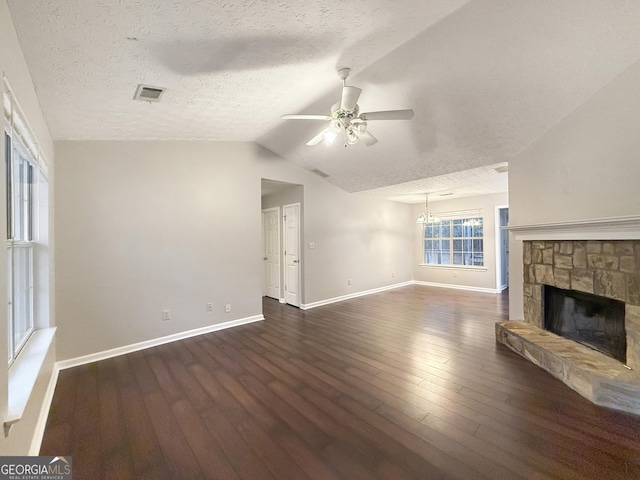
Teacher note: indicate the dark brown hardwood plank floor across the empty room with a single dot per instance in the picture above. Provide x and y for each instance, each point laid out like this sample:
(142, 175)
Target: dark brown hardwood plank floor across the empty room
(405, 384)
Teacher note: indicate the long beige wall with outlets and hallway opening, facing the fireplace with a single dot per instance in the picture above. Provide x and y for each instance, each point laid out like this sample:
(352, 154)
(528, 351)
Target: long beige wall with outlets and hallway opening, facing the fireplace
(148, 226)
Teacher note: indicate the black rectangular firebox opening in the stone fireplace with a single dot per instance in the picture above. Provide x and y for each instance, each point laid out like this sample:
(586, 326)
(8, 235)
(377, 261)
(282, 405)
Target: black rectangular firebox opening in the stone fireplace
(594, 321)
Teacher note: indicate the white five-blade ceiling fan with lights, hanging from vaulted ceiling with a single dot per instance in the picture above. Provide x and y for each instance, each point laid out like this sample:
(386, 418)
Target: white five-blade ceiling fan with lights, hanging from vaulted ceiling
(346, 117)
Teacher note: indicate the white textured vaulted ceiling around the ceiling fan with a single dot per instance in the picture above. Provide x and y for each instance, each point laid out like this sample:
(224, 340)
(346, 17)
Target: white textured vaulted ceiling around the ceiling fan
(486, 78)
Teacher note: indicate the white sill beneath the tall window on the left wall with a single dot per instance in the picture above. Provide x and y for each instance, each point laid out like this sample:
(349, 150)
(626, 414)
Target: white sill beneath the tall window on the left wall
(24, 373)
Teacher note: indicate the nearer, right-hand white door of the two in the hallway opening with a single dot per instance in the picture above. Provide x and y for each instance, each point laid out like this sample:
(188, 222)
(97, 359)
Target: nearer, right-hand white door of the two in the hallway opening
(292, 254)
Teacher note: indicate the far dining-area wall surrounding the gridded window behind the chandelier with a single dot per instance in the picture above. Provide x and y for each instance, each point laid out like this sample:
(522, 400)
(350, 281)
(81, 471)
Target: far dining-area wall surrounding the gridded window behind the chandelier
(484, 279)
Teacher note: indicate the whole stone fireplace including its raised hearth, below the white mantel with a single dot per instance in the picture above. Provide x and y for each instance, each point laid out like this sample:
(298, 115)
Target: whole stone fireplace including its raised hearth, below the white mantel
(589, 270)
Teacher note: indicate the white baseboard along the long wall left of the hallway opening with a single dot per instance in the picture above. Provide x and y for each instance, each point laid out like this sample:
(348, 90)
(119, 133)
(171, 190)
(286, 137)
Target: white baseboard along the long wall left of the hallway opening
(114, 352)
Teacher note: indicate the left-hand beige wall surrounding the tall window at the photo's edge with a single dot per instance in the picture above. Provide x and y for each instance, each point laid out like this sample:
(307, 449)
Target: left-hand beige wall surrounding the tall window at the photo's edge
(13, 65)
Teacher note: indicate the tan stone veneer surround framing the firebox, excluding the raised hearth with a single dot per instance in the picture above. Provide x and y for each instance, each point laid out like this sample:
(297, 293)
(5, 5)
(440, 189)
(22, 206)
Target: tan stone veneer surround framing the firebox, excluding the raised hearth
(608, 268)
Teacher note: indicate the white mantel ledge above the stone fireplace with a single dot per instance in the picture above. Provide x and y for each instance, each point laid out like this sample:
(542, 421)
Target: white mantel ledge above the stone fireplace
(612, 228)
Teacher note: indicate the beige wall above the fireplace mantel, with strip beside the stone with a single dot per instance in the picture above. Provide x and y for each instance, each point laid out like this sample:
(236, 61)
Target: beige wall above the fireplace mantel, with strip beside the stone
(587, 167)
